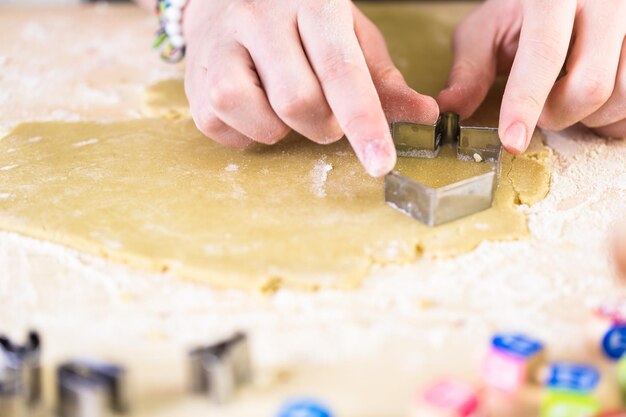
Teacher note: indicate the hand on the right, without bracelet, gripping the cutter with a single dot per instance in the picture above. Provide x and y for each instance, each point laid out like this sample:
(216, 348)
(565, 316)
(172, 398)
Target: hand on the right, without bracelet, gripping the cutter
(529, 40)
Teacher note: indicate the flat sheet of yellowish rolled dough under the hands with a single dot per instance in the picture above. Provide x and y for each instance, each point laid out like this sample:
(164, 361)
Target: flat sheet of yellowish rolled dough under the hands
(157, 194)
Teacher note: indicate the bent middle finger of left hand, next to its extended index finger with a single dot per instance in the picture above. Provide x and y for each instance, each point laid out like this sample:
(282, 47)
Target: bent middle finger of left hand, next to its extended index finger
(289, 82)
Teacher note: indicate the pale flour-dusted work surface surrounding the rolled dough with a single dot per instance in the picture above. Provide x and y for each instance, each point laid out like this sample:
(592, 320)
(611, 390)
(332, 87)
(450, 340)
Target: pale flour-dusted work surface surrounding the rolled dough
(406, 325)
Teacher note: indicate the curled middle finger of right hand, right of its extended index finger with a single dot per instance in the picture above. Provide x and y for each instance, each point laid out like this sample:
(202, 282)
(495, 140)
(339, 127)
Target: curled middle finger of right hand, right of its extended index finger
(591, 67)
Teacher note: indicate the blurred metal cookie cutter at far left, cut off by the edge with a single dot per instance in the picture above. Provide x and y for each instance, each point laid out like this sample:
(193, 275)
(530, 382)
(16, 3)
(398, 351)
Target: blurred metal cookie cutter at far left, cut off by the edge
(20, 375)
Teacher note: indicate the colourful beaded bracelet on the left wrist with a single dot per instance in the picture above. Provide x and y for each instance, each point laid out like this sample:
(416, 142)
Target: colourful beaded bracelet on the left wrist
(169, 37)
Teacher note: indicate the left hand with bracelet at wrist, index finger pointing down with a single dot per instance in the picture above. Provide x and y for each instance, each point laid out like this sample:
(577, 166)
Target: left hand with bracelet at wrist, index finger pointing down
(257, 69)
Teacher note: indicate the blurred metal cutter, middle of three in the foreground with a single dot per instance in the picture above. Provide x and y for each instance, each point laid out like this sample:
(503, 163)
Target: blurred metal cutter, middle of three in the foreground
(91, 389)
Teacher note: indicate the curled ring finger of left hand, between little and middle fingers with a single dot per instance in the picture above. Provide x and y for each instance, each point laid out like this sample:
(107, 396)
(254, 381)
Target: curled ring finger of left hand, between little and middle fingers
(237, 98)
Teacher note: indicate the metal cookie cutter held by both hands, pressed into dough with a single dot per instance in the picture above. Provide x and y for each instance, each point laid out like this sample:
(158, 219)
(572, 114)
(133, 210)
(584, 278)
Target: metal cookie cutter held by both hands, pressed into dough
(435, 206)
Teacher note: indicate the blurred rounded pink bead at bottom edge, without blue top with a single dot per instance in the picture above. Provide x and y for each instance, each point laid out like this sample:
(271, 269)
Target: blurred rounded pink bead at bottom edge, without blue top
(449, 399)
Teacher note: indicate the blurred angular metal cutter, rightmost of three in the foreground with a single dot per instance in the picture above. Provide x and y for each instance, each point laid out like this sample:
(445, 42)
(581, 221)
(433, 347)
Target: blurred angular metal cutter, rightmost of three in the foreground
(219, 370)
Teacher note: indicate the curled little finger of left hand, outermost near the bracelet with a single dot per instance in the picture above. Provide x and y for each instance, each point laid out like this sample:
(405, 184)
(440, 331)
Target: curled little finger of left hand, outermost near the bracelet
(196, 89)
